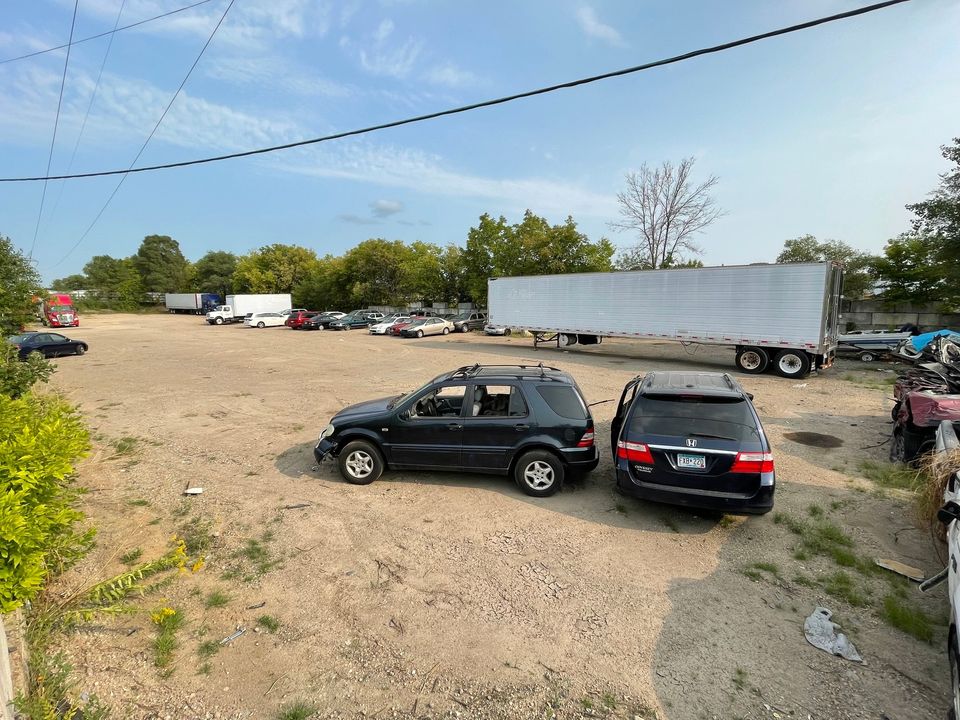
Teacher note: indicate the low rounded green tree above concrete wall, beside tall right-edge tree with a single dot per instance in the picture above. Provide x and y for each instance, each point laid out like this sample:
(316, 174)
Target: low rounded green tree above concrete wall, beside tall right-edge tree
(908, 270)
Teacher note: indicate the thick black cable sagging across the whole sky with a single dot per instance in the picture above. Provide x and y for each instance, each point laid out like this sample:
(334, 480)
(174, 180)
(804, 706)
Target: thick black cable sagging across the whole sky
(487, 103)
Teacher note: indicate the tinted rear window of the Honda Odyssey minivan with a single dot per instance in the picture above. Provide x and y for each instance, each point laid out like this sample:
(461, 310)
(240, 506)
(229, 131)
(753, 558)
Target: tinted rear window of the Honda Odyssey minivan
(724, 417)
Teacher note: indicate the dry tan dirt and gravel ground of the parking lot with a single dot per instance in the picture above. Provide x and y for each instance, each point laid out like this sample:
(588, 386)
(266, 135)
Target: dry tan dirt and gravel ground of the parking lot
(444, 595)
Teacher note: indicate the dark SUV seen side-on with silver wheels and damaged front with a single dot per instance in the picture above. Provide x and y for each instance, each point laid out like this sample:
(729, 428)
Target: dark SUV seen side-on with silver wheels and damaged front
(528, 421)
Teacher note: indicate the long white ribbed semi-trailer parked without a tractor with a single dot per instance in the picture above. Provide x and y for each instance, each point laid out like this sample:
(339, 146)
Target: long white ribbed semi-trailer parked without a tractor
(782, 318)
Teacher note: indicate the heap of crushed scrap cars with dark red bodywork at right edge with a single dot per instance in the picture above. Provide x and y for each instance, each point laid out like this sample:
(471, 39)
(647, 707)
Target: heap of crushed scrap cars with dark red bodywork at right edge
(926, 394)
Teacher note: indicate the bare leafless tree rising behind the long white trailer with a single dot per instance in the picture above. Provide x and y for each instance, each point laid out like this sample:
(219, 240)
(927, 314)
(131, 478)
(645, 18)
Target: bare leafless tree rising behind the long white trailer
(666, 209)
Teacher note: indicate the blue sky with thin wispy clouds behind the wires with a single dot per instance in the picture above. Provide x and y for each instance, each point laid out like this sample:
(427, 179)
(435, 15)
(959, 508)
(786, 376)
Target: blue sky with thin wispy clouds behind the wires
(828, 131)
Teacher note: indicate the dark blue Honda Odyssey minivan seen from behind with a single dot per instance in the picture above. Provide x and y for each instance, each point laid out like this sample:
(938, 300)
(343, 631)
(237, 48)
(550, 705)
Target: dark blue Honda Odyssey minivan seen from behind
(692, 439)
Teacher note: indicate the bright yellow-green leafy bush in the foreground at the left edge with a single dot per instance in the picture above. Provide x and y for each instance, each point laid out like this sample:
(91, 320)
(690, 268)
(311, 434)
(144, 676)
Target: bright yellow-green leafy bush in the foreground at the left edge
(40, 440)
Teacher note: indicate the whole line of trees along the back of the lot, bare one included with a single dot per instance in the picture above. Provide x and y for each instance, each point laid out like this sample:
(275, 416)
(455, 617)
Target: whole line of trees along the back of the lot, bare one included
(662, 206)
